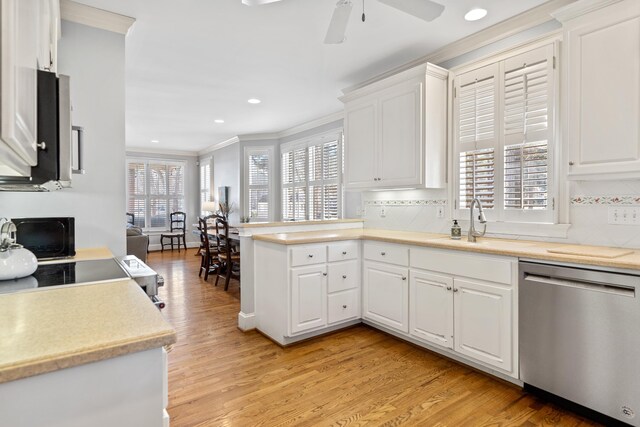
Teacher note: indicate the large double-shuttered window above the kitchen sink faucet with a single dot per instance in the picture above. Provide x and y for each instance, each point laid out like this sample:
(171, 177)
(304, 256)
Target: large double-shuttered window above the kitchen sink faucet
(504, 132)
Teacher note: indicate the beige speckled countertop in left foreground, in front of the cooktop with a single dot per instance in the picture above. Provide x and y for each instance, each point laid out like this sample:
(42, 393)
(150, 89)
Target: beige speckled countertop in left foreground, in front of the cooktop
(63, 327)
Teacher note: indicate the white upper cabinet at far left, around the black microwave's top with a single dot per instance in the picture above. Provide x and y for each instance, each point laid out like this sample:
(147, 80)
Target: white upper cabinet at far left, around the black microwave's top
(28, 34)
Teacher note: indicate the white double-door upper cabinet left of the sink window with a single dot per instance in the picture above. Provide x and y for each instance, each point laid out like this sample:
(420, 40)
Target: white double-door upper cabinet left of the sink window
(395, 131)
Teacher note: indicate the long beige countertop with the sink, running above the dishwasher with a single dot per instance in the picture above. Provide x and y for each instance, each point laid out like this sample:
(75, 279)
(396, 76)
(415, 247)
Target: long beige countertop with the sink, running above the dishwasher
(516, 248)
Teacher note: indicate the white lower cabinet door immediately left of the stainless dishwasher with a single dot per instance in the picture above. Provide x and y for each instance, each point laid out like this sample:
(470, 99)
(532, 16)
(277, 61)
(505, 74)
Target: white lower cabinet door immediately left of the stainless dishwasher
(483, 322)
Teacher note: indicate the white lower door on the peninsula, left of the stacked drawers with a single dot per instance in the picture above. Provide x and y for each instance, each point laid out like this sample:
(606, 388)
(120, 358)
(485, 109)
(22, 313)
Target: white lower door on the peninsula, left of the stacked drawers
(308, 298)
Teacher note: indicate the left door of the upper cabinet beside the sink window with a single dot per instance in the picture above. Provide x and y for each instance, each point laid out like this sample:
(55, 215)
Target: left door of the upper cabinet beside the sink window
(360, 145)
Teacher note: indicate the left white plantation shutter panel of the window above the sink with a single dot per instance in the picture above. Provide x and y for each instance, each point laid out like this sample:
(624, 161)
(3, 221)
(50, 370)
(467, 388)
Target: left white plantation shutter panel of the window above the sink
(476, 131)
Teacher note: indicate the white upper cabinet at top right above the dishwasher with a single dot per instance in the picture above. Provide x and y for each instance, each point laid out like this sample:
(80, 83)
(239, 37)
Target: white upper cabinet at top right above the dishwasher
(602, 91)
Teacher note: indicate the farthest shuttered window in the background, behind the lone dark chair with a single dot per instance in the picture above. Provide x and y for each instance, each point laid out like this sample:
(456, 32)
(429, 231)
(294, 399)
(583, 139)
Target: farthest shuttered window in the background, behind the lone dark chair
(155, 188)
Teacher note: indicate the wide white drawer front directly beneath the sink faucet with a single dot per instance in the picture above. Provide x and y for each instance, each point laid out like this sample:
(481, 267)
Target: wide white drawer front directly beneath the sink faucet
(477, 266)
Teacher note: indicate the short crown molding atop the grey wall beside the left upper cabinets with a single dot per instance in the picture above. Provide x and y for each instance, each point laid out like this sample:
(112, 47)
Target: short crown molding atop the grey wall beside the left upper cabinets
(94, 17)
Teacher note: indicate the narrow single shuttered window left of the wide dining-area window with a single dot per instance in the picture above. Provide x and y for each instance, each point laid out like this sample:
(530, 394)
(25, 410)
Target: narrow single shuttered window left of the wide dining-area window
(257, 204)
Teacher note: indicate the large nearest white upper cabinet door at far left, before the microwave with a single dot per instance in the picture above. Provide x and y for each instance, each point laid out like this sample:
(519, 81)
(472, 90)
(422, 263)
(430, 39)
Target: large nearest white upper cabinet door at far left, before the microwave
(19, 32)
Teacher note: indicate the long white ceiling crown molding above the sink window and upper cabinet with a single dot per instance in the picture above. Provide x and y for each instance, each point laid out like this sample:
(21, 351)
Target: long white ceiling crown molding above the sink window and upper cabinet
(514, 25)
